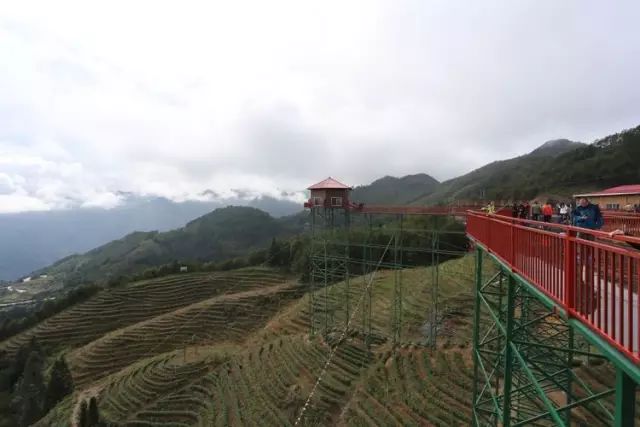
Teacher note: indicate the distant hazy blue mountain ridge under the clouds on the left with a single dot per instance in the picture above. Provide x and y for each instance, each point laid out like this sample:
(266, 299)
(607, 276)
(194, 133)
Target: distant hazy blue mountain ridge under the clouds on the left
(33, 240)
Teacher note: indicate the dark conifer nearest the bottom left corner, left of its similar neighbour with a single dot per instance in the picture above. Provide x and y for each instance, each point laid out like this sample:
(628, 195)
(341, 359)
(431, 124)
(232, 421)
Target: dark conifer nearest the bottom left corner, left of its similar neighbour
(28, 401)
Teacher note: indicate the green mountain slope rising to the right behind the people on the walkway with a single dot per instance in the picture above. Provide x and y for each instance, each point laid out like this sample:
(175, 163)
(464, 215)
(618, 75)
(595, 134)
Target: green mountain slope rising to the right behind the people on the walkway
(559, 167)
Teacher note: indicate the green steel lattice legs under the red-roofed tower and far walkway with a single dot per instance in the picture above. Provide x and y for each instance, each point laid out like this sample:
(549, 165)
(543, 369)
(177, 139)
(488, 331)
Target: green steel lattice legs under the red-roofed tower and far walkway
(331, 263)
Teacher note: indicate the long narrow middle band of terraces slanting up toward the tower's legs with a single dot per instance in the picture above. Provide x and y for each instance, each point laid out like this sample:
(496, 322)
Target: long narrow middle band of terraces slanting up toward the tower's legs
(227, 318)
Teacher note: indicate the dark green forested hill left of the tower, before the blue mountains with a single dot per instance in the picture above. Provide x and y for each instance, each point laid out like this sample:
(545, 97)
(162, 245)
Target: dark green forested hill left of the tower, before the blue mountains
(222, 234)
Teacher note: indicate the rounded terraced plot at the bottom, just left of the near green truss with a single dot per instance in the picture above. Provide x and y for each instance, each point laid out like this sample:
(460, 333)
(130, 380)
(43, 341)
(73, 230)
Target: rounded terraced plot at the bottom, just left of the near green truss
(415, 388)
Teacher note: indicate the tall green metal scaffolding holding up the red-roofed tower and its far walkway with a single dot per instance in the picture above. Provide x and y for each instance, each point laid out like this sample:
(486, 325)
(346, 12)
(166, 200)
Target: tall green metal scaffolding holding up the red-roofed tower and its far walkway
(348, 247)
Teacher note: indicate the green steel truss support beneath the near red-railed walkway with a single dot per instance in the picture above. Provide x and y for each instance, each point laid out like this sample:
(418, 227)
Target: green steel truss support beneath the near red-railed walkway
(530, 364)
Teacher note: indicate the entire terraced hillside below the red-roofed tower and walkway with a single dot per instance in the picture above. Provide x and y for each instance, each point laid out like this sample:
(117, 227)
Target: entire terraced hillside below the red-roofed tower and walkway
(243, 355)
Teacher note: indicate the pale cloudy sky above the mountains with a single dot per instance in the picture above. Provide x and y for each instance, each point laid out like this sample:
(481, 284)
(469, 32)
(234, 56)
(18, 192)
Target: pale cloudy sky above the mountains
(197, 99)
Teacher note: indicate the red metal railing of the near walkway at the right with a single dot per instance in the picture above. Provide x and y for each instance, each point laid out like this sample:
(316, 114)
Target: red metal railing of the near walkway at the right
(595, 281)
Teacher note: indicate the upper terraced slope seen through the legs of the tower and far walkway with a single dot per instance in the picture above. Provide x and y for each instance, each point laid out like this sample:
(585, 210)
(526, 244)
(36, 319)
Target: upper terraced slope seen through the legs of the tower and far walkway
(455, 310)
